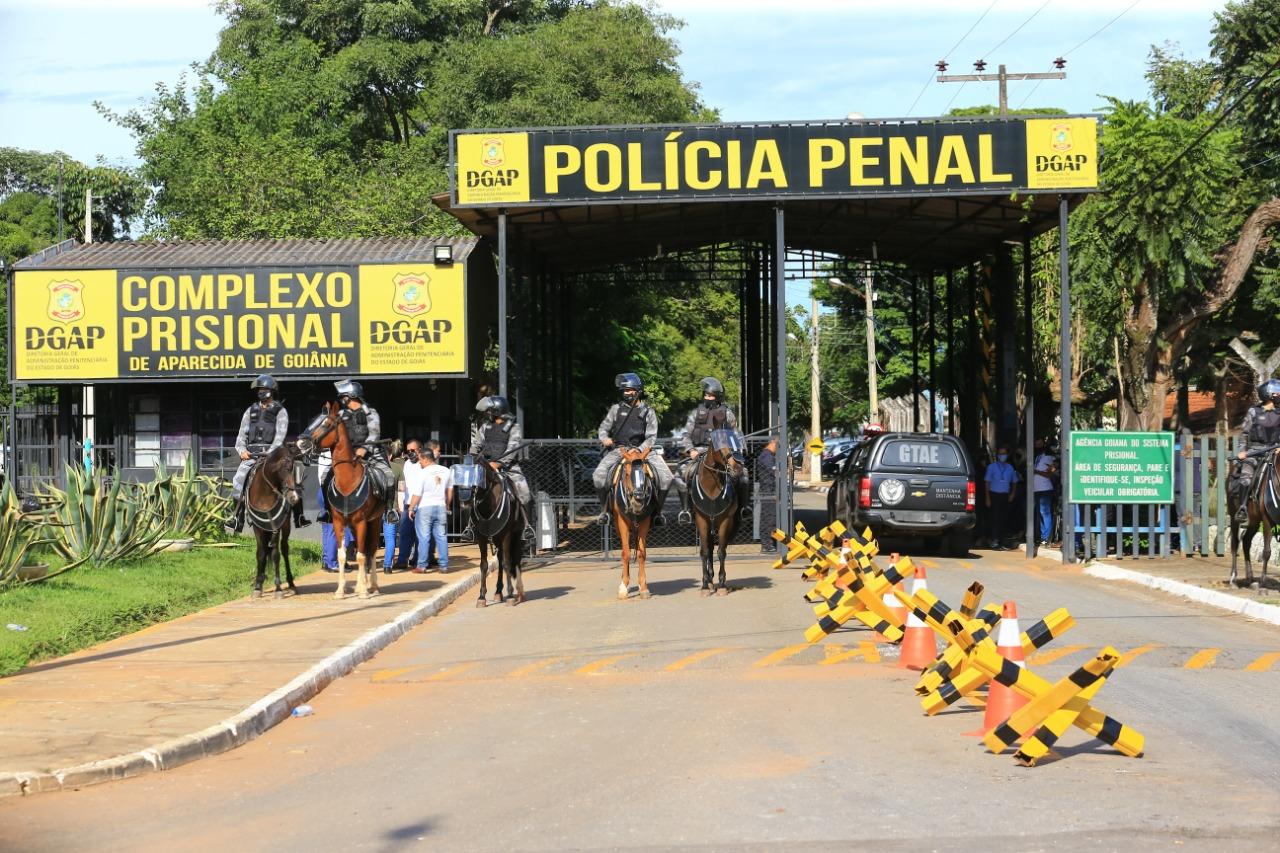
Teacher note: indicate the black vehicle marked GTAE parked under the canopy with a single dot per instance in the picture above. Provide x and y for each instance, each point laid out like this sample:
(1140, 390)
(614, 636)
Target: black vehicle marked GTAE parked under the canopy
(911, 485)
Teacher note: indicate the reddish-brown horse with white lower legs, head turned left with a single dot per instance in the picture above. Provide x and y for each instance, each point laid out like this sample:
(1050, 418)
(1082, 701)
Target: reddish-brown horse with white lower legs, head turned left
(353, 498)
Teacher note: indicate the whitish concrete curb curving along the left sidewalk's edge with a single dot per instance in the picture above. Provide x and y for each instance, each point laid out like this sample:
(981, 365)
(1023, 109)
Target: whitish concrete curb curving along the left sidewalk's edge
(248, 724)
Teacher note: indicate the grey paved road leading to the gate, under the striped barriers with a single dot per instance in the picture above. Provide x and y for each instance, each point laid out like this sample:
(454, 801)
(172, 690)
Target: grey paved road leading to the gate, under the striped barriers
(582, 722)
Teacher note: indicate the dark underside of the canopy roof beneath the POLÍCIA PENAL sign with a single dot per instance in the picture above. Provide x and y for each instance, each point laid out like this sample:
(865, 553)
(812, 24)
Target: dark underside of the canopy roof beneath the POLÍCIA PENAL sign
(924, 231)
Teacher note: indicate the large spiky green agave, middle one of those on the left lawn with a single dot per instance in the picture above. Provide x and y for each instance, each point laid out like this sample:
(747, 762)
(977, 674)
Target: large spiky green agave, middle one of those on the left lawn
(102, 522)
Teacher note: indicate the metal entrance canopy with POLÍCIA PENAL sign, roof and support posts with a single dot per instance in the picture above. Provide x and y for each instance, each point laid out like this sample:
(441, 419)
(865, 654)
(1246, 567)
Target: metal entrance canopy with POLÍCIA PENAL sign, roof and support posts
(930, 195)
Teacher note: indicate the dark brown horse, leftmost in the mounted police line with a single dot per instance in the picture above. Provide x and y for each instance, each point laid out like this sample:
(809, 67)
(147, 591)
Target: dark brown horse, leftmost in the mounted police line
(271, 495)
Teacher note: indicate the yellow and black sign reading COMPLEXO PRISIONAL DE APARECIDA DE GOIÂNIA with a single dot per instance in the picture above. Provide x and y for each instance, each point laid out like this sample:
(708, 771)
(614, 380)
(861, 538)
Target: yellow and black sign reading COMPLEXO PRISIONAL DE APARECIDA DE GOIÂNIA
(394, 320)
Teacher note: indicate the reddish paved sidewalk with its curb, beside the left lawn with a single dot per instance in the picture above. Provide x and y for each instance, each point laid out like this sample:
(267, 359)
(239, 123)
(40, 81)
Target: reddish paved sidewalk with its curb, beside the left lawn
(204, 683)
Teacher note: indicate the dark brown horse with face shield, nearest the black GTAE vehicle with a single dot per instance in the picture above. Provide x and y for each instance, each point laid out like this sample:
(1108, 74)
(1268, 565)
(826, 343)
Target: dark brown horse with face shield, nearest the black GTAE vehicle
(716, 503)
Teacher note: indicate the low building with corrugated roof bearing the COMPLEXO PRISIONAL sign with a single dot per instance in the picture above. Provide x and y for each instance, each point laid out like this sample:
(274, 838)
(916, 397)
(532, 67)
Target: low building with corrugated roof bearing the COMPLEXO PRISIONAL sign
(153, 346)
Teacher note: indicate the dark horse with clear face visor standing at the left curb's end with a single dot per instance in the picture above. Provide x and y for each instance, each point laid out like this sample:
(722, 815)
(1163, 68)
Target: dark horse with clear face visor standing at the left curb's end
(499, 521)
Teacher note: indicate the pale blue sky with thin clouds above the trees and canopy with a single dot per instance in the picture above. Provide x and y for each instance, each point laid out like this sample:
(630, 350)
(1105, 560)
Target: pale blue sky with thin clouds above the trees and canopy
(755, 61)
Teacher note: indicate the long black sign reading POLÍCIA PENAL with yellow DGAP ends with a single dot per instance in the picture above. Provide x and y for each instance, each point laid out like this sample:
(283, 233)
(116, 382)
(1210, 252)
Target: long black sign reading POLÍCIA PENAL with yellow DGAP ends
(610, 166)
